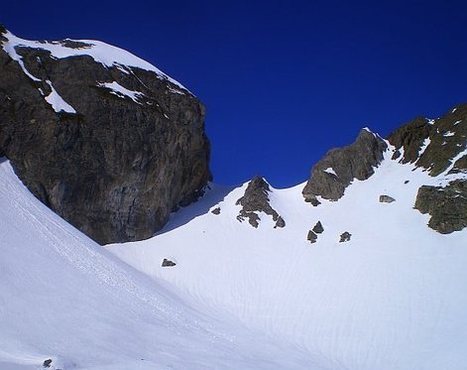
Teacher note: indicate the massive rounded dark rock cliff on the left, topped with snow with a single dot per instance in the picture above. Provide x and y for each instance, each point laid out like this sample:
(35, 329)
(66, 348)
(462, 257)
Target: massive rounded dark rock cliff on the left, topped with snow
(117, 167)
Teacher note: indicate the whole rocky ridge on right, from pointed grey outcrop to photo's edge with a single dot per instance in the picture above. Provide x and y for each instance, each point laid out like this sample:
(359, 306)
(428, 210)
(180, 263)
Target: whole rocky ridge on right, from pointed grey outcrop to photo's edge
(438, 146)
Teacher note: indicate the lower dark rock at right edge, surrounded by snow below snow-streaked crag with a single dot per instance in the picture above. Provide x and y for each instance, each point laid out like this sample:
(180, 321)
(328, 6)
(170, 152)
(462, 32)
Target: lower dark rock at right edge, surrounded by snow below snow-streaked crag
(446, 206)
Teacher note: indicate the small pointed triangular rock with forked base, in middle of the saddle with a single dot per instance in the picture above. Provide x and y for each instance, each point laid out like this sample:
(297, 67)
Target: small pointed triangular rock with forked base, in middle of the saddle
(256, 200)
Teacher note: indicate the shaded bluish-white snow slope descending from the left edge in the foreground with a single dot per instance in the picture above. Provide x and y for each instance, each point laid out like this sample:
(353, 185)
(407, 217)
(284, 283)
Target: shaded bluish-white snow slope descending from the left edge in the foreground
(64, 298)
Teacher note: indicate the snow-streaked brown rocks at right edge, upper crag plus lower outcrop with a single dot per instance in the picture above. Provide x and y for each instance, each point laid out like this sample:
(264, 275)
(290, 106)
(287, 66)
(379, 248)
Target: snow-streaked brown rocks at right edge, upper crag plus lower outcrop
(440, 147)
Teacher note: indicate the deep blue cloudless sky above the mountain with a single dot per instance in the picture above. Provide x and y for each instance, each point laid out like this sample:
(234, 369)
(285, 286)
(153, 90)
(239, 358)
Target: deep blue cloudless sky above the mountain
(283, 81)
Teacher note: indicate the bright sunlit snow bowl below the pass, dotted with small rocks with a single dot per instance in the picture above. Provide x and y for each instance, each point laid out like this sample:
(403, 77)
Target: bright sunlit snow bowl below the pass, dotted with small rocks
(393, 297)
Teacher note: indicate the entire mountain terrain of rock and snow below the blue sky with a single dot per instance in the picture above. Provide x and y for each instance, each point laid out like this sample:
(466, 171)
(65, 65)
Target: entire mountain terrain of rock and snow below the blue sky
(362, 266)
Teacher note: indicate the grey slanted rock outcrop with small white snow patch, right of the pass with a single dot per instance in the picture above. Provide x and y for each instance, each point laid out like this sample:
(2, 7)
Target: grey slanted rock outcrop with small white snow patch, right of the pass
(339, 167)
